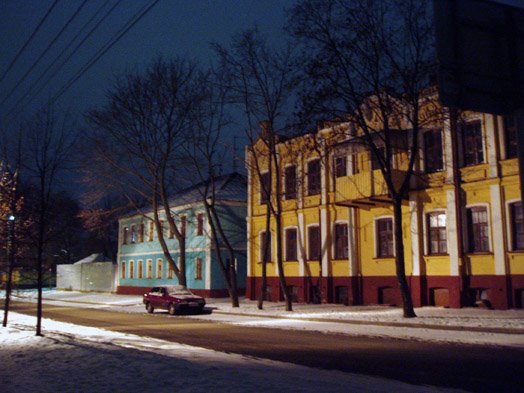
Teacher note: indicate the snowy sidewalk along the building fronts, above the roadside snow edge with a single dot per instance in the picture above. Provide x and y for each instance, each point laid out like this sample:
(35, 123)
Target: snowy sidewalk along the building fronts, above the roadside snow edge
(466, 319)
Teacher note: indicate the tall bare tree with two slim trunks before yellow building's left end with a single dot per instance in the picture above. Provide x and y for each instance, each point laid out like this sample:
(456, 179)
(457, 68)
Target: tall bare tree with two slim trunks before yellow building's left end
(262, 81)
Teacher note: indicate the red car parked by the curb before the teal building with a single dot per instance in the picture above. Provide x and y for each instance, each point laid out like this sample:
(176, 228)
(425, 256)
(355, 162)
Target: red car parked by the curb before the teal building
(173, 298)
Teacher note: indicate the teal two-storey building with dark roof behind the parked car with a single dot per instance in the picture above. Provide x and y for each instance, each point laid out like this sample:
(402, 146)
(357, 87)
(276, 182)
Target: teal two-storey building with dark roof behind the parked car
(141, 261)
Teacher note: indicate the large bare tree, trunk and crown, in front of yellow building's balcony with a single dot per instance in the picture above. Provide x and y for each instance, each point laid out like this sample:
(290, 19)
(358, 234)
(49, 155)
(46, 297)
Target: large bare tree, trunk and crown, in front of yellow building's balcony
(369, 63)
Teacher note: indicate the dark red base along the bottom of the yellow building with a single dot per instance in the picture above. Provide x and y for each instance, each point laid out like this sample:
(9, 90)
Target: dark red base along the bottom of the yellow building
(498, 292)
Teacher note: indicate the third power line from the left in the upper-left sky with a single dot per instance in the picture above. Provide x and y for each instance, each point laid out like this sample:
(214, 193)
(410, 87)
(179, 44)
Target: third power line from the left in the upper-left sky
(33, 86)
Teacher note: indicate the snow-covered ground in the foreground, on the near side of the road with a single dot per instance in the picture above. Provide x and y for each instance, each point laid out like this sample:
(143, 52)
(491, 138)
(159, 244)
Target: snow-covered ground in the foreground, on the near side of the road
(76, 358)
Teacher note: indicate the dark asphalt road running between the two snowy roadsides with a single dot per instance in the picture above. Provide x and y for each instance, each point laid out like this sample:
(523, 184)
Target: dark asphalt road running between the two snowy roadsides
(470, 367)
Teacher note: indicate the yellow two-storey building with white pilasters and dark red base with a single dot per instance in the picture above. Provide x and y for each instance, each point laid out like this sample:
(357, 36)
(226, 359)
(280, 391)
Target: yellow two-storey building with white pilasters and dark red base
(462, 220)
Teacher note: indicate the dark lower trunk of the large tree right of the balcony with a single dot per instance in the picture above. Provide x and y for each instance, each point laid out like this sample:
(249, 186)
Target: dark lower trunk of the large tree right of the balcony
(407, 302)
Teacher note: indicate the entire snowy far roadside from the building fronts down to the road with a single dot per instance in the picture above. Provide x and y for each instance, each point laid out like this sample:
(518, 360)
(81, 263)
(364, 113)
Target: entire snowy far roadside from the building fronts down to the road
(466, 326)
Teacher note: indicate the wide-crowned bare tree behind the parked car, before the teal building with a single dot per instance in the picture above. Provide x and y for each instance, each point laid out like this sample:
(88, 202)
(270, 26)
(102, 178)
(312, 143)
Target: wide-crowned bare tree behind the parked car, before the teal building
(137, 143)
